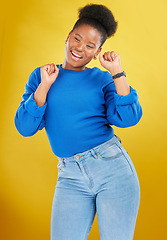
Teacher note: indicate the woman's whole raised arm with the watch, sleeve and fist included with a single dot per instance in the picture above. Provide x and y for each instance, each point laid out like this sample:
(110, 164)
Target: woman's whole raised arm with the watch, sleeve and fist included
(123, 107)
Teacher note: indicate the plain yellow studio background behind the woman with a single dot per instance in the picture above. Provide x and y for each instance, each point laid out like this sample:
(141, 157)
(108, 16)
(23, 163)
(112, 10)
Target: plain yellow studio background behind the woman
(33, 34)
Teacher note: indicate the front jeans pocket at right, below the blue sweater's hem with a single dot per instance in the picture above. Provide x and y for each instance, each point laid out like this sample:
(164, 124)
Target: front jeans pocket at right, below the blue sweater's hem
(110, 152)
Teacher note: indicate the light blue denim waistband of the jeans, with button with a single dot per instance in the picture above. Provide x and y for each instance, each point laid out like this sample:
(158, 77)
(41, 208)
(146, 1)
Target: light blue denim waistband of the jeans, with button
(93, 151)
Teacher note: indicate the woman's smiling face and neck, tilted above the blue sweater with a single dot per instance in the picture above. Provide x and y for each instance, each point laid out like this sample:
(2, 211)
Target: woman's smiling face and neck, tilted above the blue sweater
(83, 43)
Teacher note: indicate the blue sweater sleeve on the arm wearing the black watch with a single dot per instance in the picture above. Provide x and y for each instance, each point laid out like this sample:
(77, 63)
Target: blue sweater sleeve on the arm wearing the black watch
(121, 111)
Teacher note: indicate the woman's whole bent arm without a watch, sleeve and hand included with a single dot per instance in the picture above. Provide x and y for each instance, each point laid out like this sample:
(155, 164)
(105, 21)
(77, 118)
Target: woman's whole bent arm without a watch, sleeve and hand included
(29, 117)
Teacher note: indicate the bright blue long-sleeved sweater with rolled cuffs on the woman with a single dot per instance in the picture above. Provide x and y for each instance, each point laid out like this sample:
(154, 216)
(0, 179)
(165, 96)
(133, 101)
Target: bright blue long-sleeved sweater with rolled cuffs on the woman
(80, 108)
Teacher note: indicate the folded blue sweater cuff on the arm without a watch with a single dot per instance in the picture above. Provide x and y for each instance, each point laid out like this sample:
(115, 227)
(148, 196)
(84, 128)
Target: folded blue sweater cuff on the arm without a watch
(33, 108)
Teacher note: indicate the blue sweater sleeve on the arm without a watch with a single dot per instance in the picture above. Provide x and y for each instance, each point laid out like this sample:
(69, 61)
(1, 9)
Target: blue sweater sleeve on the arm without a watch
(29, 117)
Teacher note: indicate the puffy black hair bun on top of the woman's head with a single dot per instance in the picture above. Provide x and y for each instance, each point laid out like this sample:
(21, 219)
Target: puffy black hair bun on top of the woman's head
(101, 14)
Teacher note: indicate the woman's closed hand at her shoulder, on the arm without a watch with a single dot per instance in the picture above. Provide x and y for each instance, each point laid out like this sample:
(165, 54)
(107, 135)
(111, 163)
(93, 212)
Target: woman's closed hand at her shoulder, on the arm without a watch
(49, 73)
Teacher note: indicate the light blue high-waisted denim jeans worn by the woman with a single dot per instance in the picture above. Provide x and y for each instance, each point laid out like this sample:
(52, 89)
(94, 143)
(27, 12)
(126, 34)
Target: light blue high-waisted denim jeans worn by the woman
(103, 180)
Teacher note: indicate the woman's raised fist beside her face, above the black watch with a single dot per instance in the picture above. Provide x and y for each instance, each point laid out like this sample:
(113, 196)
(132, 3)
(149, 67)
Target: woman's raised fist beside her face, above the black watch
(111, 61)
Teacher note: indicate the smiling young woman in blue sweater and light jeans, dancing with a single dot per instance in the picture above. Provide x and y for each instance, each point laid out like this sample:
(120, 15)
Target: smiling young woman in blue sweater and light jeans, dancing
(77, 106)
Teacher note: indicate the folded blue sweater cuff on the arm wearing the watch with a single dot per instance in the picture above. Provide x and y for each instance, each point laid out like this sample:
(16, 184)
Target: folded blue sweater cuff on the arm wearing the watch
(127, 99)
